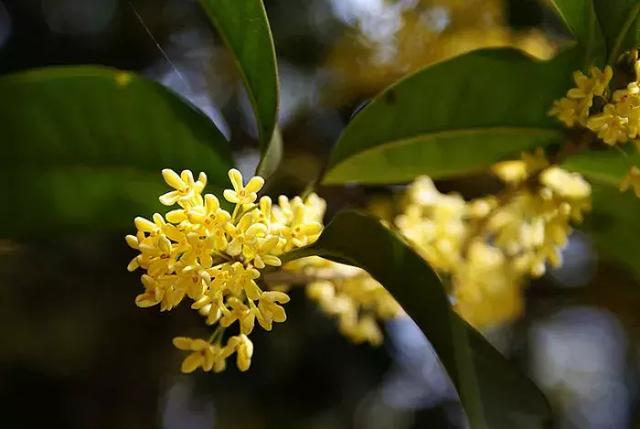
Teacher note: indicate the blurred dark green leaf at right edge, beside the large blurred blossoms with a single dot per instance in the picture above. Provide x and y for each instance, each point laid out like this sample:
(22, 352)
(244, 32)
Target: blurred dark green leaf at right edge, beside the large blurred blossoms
(614, 227)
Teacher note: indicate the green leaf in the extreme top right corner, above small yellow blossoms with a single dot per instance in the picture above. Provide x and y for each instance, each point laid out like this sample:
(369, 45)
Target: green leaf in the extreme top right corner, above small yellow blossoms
(619, 20)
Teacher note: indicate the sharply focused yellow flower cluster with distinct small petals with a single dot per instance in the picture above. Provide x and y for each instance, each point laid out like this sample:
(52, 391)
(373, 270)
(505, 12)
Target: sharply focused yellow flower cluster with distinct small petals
(214, 257)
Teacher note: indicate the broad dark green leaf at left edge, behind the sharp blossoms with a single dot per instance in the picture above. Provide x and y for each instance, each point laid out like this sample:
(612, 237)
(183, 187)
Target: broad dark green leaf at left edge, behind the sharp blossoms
(85, 146)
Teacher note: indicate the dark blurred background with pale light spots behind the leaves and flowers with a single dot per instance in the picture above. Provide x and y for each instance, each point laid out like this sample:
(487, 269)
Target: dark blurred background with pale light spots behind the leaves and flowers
(75, 352)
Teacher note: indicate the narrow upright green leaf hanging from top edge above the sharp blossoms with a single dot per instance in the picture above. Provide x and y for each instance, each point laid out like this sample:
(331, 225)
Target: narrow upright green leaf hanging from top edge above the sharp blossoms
(244, 27)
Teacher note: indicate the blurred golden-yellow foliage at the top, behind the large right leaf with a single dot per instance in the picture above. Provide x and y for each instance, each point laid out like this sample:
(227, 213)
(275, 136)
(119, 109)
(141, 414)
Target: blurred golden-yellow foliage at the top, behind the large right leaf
(398, 41)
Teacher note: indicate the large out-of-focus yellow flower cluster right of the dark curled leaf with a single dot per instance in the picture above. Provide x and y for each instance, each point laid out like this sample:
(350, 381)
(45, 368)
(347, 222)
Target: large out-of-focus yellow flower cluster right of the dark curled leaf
(487, 247)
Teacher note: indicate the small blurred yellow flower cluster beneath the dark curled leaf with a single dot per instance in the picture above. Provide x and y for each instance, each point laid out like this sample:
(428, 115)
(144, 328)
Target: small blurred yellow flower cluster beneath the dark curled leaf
(350, 295)
